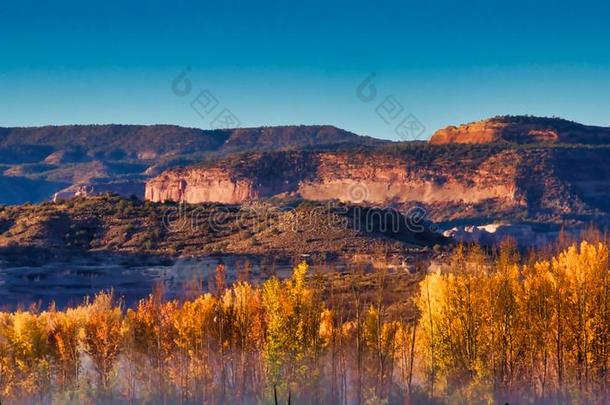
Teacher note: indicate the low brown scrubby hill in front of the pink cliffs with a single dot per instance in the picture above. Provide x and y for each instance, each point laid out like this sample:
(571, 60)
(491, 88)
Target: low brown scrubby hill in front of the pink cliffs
(38, 233)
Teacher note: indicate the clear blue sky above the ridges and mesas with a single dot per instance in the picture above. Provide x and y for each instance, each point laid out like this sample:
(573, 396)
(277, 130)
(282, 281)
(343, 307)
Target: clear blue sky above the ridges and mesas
(285, 62)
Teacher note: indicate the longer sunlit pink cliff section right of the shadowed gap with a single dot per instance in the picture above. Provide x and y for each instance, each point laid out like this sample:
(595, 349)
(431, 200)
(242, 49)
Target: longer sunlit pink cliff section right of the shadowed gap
(381, 179)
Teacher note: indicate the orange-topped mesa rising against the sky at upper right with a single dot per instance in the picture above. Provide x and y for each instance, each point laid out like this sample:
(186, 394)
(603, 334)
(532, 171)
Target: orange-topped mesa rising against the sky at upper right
(522, 129)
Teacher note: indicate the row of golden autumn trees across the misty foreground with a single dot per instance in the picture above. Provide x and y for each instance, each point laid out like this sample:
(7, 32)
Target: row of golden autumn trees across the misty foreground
(491, 326)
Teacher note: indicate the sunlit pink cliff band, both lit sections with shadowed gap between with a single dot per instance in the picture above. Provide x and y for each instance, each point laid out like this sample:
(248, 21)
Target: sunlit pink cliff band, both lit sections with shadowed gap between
(376, 179)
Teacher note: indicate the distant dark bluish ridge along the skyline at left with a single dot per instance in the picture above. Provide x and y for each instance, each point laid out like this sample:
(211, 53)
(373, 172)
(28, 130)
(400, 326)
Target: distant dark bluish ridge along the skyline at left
(144, 142)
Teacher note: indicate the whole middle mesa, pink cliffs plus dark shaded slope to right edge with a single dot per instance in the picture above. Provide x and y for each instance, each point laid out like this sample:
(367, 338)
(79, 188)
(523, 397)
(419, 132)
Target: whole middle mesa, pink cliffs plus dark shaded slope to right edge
(453, 181)
